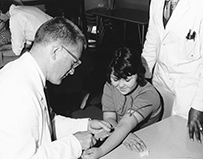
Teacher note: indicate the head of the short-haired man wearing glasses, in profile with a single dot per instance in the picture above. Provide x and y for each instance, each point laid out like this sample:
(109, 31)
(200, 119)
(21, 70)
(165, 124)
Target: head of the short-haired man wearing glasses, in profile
(57, 48)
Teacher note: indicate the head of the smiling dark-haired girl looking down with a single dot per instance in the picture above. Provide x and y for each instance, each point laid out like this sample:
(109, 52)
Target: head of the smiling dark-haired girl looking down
(126, 71)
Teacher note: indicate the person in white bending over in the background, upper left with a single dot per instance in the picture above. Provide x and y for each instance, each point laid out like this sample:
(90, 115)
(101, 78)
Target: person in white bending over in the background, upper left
(23, 23)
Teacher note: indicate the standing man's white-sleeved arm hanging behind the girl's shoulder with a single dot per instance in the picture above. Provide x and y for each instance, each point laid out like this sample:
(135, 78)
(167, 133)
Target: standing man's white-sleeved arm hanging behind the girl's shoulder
(151, 43)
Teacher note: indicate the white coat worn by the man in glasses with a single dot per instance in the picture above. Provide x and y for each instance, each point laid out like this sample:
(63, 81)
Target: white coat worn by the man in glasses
(24, 120)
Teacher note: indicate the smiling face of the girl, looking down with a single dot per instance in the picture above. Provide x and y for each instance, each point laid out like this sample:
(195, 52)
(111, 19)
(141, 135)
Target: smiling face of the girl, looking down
(124, 86)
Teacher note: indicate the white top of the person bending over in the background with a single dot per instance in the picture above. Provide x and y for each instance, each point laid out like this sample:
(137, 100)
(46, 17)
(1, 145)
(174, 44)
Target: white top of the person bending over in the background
(24, 22)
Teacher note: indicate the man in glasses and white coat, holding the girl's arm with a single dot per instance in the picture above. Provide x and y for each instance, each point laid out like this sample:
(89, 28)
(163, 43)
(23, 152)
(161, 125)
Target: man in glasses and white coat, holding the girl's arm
(25, 126)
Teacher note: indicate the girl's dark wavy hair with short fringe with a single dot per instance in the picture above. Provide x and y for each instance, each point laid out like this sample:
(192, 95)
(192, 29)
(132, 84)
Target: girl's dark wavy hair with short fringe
(127, 62)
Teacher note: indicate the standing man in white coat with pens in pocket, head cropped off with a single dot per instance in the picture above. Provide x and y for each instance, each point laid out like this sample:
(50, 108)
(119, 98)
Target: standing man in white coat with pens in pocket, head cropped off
(174, 54)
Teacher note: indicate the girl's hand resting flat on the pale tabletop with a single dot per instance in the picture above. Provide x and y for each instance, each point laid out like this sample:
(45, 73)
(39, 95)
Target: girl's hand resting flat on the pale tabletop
(134, 143)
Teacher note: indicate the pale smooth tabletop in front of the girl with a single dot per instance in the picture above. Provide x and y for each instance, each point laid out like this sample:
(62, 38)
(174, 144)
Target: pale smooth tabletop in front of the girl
(167, 139)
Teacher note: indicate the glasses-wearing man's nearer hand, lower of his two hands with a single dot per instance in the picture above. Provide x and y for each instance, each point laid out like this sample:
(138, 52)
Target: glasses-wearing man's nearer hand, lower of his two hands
(86, 139)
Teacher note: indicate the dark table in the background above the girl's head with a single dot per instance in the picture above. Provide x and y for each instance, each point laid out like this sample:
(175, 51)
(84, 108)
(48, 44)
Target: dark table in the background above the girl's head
(139, 17)
